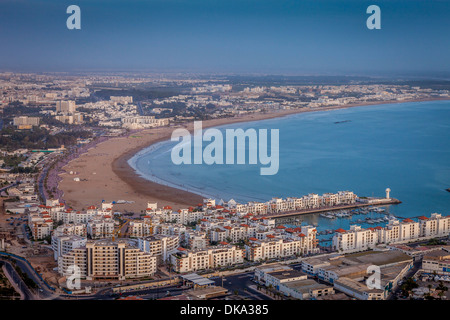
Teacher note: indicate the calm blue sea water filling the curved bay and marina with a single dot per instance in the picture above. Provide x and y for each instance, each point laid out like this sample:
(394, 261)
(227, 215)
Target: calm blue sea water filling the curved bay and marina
(405, 147)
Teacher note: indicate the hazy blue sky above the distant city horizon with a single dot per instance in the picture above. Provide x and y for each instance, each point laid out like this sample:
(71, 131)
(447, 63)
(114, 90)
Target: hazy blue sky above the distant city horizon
(263, 36)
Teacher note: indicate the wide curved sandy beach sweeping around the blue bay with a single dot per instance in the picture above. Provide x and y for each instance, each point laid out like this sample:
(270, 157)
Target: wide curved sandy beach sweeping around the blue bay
(105, 174)
